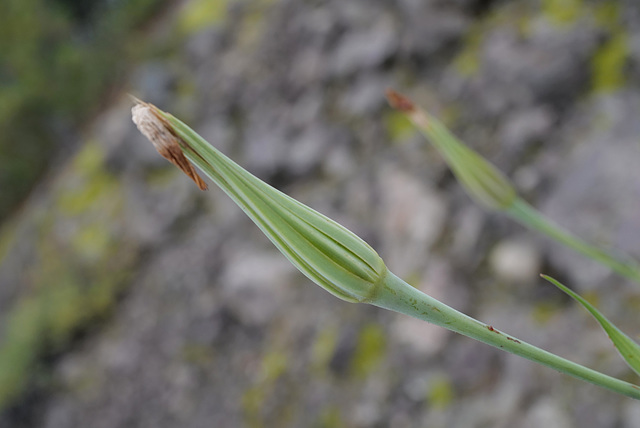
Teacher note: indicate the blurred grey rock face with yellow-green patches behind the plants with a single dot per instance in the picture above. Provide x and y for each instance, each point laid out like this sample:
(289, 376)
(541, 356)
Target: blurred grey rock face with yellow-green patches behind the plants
(129, 298)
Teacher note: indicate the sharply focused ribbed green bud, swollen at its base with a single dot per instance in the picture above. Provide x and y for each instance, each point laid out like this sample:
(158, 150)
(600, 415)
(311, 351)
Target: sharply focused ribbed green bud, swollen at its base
(326, 252)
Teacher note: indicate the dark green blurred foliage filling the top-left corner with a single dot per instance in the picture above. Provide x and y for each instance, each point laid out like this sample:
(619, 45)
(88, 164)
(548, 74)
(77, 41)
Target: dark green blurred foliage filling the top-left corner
(57, 60)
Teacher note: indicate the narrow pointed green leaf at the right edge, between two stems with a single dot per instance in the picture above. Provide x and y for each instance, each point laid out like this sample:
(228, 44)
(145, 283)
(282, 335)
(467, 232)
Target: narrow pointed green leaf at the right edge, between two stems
(626, 346)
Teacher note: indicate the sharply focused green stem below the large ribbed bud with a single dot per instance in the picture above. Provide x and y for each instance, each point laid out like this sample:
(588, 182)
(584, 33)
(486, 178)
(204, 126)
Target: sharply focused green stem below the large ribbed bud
(396, 295)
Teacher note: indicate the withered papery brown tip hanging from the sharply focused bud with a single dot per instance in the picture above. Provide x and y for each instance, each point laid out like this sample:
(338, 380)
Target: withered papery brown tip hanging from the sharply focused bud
(167, 143)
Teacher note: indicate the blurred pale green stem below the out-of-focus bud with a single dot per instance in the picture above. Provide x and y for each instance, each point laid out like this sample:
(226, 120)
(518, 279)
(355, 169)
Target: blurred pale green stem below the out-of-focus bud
(528, 216)
